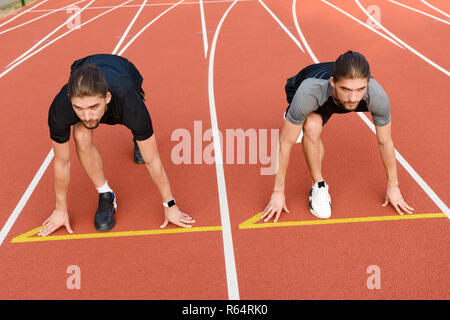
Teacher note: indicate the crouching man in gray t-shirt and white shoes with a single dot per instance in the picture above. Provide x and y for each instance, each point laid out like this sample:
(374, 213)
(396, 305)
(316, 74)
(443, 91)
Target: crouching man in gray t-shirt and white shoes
(314, 95)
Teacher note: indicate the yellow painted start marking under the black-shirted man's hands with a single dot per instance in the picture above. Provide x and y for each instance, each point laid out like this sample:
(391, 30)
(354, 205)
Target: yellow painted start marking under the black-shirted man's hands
(27, 237)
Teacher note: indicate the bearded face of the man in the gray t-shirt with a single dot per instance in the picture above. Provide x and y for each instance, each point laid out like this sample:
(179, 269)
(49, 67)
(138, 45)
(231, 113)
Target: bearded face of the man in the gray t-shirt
(349, 92)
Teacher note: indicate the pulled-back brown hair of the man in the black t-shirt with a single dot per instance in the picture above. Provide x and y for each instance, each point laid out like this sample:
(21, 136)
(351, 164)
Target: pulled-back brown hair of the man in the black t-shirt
(87, 81)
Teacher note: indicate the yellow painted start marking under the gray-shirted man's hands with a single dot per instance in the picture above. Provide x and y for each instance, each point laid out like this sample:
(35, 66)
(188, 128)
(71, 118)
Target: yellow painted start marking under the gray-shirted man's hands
(251, 223)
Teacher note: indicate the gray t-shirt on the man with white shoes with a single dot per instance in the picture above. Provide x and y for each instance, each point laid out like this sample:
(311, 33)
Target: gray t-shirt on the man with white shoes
(315, 94)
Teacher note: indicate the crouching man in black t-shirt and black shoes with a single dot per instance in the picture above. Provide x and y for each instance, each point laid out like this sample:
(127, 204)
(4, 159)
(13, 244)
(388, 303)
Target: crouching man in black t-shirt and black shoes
(103, 89)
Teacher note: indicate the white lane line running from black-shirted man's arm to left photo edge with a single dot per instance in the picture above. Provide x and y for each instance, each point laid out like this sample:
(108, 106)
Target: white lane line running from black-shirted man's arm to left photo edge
(23, 201)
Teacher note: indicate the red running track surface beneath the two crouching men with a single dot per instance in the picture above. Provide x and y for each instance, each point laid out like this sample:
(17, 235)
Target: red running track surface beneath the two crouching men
(253, 58)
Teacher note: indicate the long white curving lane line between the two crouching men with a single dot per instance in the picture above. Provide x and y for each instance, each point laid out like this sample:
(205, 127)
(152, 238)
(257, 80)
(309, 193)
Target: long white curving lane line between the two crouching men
(230, 264)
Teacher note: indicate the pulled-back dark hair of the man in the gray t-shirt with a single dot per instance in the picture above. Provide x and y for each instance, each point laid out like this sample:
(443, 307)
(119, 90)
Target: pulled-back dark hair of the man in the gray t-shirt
(351, 65)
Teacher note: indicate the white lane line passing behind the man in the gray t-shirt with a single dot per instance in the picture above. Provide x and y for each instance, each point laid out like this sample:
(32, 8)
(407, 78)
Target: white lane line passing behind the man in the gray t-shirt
(441, 205)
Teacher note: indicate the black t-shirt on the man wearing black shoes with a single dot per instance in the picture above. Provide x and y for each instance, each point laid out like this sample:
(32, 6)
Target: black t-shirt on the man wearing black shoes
(126, 107)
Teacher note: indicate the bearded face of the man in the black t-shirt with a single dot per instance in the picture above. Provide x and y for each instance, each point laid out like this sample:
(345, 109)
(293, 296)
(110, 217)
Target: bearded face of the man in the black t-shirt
(90, 109)
